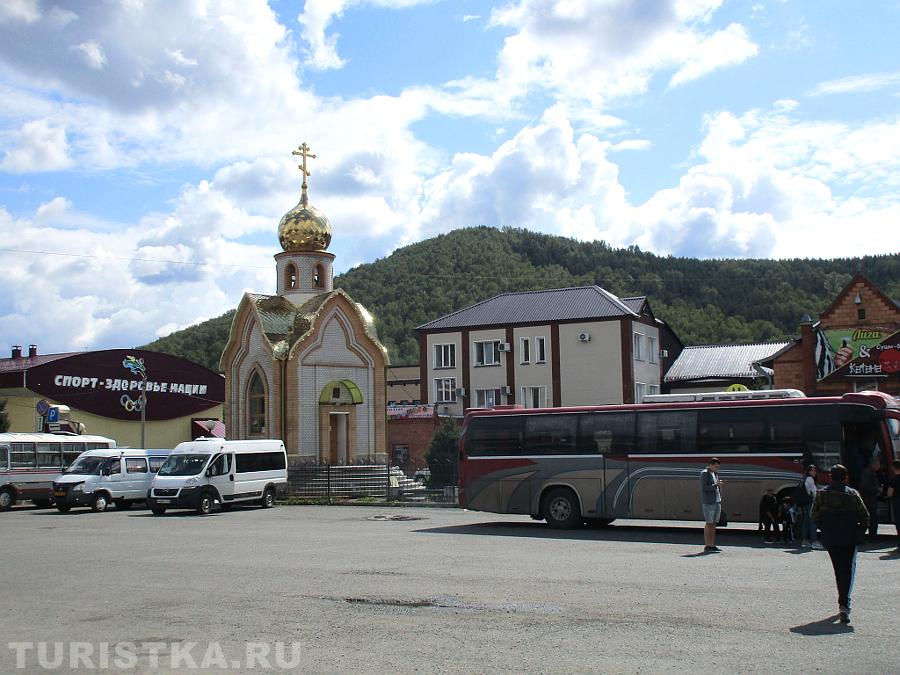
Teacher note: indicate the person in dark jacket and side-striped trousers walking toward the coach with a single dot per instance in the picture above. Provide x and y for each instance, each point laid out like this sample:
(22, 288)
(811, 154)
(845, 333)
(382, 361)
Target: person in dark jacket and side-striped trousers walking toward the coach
(842, 517)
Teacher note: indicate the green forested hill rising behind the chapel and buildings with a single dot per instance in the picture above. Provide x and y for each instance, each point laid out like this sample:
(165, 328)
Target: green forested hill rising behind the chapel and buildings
(705, 301)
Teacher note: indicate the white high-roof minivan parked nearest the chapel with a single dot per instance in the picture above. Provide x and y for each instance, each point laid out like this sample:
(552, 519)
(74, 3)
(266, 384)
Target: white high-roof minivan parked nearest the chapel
(210, 471)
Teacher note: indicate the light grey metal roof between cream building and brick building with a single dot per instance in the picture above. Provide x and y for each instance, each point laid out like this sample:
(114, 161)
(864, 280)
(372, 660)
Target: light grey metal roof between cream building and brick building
(722, 361)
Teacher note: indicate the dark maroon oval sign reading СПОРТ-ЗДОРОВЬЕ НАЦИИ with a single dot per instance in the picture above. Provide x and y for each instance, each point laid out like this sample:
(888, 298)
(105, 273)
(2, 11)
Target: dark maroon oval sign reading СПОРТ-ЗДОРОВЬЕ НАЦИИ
(100, 383)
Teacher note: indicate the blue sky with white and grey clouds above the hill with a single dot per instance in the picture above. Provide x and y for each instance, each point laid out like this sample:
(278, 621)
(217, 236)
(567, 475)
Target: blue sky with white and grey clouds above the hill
(145, 146)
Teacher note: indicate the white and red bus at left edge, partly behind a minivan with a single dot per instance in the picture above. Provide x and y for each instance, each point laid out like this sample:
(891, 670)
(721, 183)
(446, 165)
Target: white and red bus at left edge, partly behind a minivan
(30, 462)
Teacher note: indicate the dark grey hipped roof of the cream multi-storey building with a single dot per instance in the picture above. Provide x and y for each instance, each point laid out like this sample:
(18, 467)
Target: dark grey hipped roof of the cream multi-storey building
(558, 304)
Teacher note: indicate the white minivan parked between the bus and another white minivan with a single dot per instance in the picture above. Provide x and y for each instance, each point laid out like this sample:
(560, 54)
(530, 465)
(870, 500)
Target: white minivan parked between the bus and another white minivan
(100, 477)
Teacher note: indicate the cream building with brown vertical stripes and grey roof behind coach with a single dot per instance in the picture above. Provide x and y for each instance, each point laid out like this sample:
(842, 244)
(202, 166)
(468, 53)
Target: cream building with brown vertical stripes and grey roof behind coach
(559, 347)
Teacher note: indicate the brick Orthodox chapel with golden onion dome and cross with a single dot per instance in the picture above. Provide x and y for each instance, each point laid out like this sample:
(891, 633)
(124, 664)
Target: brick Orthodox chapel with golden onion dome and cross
(305, 365)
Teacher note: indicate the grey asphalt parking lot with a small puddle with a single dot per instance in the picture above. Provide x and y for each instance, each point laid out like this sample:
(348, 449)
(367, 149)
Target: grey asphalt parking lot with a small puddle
(339, 589)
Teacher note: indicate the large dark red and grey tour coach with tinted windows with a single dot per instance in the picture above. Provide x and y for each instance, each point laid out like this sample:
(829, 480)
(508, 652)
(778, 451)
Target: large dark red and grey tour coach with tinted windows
(569, 465)
